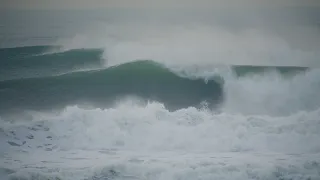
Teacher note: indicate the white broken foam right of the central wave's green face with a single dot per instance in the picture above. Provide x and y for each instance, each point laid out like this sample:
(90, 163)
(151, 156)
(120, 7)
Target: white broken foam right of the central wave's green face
(272, 94)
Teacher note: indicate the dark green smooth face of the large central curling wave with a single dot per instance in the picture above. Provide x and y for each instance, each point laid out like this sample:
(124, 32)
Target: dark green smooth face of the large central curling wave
(143, 79)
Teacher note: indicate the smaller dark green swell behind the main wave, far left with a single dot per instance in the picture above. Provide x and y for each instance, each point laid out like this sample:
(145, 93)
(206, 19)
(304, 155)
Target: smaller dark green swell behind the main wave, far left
(38, 61)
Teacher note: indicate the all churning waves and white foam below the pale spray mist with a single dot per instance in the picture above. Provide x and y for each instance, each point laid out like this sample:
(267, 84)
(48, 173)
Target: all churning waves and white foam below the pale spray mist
(68, 115)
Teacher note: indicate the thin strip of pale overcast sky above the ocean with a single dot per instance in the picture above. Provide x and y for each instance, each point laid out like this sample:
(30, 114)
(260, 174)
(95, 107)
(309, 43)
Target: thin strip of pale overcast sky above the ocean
(91, 4)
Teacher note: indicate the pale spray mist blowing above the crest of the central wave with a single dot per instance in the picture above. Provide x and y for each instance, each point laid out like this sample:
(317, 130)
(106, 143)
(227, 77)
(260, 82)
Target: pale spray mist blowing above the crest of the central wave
(199, 43)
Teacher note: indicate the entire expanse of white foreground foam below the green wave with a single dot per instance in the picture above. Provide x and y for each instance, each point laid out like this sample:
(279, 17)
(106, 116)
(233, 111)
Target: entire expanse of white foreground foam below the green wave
(149, 141)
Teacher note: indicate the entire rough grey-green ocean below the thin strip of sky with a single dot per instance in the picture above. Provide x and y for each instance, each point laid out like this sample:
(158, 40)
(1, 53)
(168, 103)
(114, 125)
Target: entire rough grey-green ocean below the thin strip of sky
(87, 96)
